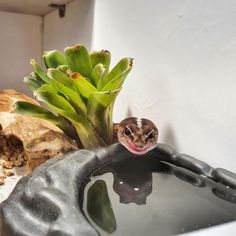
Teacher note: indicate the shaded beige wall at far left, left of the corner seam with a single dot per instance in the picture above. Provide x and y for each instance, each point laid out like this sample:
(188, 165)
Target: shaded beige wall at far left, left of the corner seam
(20, 40)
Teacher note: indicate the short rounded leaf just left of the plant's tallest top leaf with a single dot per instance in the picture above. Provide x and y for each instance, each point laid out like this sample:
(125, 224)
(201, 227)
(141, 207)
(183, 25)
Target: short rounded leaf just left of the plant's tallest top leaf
(54, 58)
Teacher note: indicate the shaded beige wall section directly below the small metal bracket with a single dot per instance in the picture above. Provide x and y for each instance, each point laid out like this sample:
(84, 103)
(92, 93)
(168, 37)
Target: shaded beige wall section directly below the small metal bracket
(75, 27)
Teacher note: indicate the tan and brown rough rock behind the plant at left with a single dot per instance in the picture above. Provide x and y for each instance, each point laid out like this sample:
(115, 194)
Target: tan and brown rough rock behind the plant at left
(28, 139)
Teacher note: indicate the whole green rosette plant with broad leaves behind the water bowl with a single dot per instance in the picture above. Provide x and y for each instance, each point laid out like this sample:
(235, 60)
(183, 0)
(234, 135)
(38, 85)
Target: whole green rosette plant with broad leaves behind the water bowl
(79, 92)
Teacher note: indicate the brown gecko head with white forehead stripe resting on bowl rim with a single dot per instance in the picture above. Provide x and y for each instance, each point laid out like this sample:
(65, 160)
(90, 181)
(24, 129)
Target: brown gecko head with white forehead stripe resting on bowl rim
(138, 135)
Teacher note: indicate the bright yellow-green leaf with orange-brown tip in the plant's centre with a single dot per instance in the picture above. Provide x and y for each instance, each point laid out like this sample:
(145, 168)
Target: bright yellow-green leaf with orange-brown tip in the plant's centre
(84, 86)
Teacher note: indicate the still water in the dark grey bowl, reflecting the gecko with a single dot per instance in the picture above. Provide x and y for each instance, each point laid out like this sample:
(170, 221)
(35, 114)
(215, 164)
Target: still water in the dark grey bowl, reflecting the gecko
(146, 197)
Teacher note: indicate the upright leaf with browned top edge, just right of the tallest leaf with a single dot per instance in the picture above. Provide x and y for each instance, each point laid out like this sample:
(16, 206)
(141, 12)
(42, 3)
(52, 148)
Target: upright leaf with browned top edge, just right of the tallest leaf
(103, 57)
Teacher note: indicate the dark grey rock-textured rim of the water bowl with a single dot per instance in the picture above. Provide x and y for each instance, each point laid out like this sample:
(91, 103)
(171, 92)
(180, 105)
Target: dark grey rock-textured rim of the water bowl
(48, 202)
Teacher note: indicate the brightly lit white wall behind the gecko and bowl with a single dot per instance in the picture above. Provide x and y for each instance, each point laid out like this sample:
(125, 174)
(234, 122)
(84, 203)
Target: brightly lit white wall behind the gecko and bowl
(184, 75)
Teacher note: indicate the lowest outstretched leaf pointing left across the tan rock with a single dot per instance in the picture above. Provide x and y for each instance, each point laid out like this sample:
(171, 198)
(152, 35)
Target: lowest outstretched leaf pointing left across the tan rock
(29, 109)
